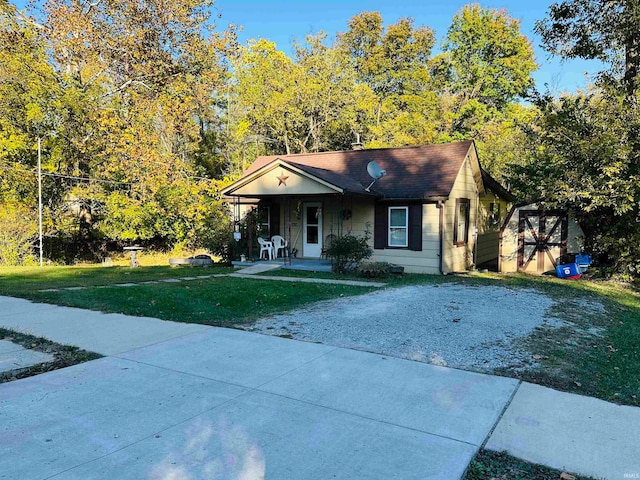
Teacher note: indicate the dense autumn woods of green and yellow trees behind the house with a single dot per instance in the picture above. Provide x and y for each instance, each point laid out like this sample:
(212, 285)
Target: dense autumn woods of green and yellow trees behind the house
(146, 109)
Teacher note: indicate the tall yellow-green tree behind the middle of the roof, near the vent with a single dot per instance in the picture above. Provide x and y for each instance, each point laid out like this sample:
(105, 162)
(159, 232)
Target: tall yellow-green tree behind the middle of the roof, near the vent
(393, 64)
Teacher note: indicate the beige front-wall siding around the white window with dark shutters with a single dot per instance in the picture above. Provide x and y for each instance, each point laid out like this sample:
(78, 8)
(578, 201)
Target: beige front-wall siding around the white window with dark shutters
(425, 261)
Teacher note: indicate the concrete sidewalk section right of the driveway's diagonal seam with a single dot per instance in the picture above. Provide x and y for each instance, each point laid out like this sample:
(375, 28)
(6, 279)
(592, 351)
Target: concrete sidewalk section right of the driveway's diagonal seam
(570, 432)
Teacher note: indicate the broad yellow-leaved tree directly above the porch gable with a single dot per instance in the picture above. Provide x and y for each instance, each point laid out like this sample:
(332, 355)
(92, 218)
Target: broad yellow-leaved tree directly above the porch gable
(307, 103)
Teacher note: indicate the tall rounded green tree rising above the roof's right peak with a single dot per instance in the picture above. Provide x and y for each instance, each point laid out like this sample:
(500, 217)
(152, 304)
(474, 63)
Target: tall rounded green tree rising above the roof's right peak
(484, 70)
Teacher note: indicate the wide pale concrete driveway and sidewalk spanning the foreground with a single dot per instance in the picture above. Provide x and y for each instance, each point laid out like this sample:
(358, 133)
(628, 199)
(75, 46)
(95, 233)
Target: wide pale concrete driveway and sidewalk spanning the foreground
(189, 401)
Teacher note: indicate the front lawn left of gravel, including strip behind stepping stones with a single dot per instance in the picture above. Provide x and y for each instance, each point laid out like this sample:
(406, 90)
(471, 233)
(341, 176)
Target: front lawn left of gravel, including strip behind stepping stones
(220, 301)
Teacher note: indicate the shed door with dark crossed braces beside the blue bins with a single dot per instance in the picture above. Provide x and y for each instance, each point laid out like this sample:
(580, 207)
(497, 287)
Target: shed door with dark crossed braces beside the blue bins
(542, 239)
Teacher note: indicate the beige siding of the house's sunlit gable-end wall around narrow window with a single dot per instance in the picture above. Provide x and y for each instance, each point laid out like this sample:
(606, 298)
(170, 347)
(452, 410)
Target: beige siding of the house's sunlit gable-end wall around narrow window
(460, 258)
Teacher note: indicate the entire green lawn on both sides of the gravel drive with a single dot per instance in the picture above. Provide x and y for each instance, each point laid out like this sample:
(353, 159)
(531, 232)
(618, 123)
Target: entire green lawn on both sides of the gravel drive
(571, 358)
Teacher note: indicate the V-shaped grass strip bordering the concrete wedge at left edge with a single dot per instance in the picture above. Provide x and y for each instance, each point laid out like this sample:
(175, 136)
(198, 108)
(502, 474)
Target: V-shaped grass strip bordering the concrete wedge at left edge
(63, 355)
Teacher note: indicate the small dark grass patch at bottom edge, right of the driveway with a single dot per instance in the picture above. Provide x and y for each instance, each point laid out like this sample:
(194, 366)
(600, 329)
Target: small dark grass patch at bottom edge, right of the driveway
(500, 466)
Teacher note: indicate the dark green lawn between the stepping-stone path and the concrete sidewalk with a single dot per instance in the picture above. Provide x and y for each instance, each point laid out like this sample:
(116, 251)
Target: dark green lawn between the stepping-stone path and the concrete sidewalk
(222, 301)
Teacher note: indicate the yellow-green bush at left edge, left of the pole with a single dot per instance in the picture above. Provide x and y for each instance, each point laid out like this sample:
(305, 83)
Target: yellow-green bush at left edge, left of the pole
(18, 229)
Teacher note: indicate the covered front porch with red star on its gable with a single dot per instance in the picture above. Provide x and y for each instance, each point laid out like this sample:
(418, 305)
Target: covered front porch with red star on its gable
(307, 207)
